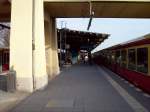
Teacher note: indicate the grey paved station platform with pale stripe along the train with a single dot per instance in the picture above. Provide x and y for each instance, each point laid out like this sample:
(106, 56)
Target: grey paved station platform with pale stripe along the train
(85, 88)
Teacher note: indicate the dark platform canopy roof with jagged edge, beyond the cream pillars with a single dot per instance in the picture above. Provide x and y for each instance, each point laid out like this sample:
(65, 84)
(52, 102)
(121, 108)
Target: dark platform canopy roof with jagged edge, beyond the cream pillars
(79, 40)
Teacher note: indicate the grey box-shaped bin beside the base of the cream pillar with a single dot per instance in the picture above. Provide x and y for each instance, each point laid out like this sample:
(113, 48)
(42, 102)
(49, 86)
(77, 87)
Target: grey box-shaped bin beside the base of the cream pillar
(8, 81)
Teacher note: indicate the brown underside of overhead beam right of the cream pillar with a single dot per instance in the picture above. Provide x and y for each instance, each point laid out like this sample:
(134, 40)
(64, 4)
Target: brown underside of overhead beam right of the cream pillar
(101, 8)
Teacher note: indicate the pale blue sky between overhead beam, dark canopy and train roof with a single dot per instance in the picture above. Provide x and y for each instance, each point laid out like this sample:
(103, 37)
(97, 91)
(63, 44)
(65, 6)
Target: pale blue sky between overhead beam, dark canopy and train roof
(120, 30)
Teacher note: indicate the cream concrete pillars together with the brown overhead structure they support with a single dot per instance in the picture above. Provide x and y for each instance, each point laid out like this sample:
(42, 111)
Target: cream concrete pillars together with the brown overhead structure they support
(33, 32)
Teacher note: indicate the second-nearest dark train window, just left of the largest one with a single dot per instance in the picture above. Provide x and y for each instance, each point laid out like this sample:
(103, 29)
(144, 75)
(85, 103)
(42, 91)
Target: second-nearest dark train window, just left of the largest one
(132, 59)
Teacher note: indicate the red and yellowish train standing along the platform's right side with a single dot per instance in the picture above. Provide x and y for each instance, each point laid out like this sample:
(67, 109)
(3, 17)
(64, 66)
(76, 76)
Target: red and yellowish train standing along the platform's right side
(130, 60)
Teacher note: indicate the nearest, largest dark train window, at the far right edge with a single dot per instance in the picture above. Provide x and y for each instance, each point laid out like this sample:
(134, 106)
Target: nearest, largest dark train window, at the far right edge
(142, 60)
